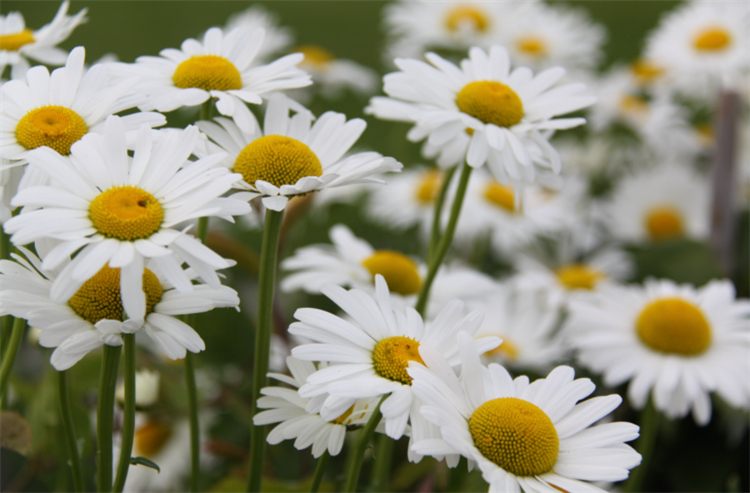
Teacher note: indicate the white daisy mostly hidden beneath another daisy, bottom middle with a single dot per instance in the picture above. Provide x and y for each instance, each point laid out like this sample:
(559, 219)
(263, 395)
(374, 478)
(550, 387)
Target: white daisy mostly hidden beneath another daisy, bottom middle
(286, 407)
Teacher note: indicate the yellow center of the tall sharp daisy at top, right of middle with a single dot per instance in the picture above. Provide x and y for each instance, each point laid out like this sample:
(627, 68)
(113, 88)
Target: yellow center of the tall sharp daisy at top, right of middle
(491, 102)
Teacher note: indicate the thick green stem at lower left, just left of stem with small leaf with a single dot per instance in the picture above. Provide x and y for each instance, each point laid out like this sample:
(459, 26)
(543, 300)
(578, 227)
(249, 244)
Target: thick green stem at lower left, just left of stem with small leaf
(105, 416)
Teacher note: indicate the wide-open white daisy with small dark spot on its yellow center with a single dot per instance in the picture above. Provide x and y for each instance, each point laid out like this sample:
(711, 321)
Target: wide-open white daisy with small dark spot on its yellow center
(119, 210)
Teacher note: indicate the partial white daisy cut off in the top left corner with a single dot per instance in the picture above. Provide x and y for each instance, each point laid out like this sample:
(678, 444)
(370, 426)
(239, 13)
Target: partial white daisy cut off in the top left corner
(18, 44)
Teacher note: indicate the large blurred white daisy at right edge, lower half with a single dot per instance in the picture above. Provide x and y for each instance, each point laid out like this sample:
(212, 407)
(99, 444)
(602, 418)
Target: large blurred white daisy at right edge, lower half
(677, 342)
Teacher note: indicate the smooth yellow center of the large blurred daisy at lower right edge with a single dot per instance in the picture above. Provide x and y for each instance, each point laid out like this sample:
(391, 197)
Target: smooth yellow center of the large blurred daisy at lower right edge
(673, 325)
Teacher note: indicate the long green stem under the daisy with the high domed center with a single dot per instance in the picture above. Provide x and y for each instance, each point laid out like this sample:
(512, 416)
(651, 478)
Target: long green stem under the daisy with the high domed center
(266, 286)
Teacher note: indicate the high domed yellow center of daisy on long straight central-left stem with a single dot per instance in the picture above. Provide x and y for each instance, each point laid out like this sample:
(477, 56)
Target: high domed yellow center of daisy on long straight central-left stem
(278, 160)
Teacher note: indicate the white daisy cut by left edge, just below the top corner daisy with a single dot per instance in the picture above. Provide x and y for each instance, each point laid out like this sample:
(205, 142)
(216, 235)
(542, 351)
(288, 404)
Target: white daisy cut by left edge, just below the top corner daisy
(58, 110)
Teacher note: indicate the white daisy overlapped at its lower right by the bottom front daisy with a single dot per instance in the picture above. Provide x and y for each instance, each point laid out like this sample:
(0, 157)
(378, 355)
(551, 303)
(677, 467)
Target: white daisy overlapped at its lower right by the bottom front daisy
(370, 354)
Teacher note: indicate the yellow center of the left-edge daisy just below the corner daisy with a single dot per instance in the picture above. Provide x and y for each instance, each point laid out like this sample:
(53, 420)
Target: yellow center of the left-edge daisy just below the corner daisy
(52, 126)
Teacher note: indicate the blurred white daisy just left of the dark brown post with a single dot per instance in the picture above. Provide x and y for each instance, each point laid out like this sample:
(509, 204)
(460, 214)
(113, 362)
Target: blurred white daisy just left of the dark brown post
(663, 203)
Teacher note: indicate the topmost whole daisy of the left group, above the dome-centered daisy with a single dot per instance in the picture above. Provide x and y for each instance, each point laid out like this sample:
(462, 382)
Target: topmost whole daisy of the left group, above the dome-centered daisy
(220, 67)
